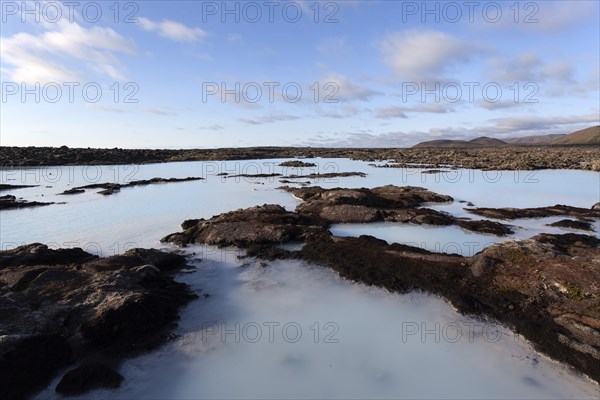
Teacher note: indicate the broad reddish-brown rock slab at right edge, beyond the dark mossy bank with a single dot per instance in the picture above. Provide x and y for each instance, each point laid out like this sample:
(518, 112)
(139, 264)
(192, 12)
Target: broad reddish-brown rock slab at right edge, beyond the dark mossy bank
(554, 276)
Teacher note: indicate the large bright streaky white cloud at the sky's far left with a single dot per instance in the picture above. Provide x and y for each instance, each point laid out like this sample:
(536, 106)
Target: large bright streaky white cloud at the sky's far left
(43, 57)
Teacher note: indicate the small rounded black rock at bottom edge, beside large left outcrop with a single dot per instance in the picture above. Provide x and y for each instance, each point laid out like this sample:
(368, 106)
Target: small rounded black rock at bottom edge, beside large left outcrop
(84, 378)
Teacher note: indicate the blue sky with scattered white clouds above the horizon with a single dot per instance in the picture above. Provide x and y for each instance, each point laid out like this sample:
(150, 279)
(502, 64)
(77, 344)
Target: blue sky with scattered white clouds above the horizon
(206, 74)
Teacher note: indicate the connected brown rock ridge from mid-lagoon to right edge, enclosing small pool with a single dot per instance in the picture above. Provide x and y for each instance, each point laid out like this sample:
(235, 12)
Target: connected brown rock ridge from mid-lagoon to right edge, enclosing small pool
(544, 288)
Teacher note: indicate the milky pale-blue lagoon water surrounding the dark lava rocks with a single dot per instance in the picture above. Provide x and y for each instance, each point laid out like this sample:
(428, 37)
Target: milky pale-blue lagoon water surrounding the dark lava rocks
(292, 330)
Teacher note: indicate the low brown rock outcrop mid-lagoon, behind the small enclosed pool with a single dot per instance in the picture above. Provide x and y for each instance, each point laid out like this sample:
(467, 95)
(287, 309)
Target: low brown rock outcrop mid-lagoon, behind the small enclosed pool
(271, 223)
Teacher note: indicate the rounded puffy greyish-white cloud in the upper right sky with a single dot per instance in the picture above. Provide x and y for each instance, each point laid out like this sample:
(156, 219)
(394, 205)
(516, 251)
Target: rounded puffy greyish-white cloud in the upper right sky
(423, 55)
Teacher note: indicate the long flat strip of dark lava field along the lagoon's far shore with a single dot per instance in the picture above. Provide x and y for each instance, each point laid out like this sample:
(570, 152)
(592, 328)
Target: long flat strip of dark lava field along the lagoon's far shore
(584, 157)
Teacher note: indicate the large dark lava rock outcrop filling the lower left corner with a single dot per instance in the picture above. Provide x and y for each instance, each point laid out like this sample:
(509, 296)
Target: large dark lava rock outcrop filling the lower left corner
(63, 307)
